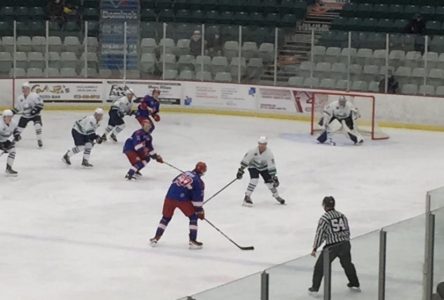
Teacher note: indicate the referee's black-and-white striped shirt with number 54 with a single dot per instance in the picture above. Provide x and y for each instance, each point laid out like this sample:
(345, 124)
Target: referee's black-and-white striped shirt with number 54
(332, 228)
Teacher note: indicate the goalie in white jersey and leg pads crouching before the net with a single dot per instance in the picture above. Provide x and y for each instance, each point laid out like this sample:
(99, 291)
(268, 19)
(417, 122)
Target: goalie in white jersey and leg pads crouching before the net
(340, 115)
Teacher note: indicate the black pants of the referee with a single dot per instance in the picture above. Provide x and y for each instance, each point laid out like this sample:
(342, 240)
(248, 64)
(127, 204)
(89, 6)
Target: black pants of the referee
(341, 250)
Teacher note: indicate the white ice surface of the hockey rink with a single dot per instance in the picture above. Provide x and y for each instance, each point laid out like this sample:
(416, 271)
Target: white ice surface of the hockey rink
(72, 233)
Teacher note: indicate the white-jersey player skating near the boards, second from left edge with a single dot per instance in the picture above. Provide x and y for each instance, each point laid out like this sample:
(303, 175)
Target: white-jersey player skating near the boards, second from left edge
(30, 105)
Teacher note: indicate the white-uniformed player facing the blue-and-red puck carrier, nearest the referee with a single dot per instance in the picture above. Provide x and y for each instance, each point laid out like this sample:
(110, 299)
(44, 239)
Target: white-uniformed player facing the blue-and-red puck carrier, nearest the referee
(260, 160)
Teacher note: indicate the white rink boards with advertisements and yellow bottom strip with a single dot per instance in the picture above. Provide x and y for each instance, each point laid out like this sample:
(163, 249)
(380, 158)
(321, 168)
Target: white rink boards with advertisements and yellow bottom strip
(415, 112)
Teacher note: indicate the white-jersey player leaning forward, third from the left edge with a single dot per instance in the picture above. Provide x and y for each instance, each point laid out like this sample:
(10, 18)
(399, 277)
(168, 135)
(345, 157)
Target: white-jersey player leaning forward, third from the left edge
(84, 135)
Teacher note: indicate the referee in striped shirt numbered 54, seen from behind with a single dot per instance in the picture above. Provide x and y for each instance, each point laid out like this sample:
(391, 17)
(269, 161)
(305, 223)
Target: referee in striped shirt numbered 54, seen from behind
(333, 229)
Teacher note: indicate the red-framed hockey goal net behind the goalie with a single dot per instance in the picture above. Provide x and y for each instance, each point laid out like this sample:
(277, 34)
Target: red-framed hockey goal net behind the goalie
(367, 124)
